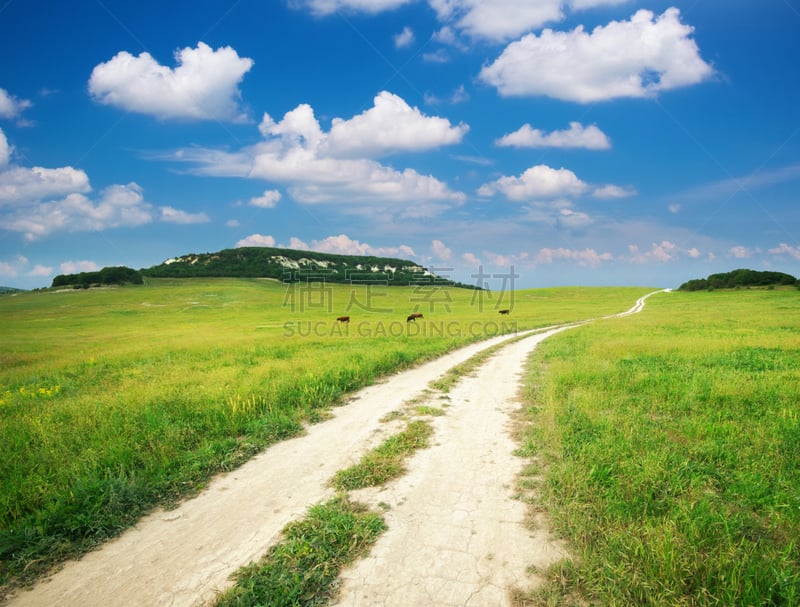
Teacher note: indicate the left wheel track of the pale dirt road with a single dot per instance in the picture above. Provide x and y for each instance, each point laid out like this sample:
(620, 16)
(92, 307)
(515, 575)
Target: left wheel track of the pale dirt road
(184, 557)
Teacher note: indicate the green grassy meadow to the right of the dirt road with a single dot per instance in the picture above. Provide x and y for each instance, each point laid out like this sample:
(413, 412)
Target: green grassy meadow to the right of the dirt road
(668, 448)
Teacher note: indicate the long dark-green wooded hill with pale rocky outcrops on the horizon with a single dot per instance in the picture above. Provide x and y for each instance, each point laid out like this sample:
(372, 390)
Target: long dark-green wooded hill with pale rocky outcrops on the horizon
(291, 265)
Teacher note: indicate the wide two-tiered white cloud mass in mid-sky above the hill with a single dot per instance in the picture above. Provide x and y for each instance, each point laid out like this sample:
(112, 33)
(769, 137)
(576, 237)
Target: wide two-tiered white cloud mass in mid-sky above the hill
(321, 167)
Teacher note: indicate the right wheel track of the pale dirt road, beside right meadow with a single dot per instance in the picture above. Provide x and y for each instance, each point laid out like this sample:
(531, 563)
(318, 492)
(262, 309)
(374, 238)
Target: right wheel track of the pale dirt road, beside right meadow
(456, 536)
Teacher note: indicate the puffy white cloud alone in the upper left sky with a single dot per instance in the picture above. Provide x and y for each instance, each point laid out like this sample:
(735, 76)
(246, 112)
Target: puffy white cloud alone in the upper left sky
(203, 86)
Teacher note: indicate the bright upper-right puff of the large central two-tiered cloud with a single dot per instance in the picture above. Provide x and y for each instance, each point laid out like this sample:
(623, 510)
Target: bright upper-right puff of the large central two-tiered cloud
(391, 125)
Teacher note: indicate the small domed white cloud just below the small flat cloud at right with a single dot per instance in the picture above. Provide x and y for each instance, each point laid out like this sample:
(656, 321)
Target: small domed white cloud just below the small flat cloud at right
(538, 182)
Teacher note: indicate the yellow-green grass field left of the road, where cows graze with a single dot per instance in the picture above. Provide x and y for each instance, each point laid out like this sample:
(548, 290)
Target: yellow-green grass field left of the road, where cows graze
(115, 400)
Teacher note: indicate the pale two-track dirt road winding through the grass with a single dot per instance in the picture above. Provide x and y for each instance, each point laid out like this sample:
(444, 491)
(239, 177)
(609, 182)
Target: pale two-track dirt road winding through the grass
(455, 537)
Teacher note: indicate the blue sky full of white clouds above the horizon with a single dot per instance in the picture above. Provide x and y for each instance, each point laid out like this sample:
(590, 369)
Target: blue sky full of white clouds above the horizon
(533, 143)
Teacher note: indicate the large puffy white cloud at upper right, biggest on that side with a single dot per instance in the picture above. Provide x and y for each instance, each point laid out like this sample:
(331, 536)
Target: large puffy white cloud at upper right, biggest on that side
(635, 58)
